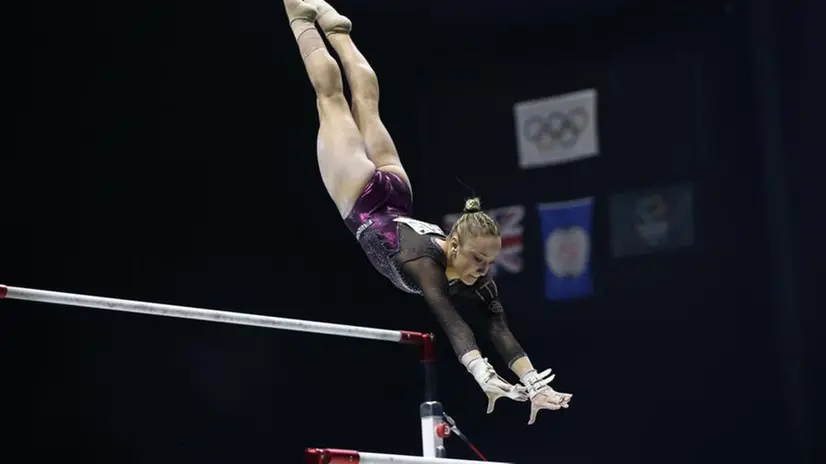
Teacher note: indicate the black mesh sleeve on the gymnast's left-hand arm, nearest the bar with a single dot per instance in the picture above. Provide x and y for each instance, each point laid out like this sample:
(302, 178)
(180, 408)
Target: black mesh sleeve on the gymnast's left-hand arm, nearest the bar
(430, 276)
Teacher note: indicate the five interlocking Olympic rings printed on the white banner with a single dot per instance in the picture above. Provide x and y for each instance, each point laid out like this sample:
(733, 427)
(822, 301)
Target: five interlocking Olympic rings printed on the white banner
(556, 129)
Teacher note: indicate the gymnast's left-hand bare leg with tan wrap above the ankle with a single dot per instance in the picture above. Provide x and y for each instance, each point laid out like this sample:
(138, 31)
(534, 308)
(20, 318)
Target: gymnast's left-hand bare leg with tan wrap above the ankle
(342, 157)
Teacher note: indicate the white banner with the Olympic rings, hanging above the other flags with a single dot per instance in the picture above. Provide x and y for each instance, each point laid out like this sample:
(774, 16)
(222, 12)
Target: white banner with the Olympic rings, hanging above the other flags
(557, 130)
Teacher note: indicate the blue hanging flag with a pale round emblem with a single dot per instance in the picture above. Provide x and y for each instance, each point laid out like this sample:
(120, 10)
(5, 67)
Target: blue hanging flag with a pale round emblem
(566, 232)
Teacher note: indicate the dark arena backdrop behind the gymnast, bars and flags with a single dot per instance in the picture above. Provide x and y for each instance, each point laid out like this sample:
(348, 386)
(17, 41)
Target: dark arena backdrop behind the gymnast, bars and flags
(165, 151)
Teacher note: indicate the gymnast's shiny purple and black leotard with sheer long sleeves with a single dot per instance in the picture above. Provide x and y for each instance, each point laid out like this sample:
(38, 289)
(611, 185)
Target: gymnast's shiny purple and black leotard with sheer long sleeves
(405, 251)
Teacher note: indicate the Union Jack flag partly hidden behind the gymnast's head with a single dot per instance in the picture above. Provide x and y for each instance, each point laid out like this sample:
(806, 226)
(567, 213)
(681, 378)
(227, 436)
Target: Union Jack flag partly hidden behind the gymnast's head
(509, 219)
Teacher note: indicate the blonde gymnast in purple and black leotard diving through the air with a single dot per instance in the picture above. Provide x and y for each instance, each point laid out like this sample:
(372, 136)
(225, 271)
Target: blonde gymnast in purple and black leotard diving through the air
(362, 173)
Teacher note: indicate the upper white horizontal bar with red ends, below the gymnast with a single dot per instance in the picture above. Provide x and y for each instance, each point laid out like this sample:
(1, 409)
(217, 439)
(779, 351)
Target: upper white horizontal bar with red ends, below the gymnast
(224, 317)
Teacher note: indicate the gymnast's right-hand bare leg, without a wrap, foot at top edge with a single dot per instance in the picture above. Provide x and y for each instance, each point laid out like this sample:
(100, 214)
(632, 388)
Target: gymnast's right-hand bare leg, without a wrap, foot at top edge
(364, 89)
